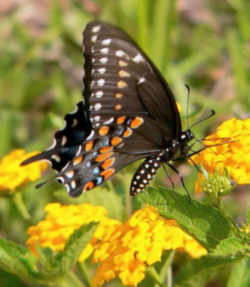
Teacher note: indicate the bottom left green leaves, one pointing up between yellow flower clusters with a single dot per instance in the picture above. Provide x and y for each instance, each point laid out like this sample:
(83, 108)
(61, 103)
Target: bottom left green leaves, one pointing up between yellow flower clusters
(54, 268)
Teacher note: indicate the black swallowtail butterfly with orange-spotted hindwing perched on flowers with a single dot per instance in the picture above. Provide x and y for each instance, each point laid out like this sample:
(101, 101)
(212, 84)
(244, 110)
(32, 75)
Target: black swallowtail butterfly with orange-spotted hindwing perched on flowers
(128, 113)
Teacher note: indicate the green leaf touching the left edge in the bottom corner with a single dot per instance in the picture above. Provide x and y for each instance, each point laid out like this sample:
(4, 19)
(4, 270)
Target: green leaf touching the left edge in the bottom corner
(16, 260)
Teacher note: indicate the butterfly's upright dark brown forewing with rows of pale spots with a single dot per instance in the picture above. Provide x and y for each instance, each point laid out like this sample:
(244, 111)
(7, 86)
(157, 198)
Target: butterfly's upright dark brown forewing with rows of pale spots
(117, 74)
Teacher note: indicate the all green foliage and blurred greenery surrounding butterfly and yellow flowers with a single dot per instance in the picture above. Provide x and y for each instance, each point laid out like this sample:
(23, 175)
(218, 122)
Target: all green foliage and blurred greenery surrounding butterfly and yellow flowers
(40, 81)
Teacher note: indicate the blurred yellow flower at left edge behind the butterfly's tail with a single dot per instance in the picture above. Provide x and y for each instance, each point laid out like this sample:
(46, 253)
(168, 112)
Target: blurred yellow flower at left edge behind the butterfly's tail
(13, 175)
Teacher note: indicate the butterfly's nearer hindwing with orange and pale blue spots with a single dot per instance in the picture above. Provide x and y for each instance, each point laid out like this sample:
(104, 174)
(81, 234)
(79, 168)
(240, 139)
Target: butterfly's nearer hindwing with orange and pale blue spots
(98, 158)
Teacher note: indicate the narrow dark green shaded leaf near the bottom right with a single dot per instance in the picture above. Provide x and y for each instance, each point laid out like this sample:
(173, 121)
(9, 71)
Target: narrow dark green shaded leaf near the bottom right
(196, 267)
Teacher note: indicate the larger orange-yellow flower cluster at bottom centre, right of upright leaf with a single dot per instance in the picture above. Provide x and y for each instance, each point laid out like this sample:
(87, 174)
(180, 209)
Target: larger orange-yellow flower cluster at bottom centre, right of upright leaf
(137, 243)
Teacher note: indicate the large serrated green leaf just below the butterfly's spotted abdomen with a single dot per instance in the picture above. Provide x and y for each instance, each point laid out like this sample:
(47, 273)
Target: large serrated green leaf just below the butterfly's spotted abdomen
(205, 223)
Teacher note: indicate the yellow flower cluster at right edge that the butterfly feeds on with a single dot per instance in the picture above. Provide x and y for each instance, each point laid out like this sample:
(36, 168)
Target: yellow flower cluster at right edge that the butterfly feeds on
(232, 151)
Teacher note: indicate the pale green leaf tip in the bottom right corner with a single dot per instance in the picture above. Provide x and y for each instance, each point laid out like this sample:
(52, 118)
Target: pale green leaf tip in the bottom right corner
(239, 274)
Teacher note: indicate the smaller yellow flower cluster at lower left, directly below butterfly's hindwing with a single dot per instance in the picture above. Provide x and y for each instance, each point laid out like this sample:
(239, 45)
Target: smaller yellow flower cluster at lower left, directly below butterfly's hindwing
(60, 223)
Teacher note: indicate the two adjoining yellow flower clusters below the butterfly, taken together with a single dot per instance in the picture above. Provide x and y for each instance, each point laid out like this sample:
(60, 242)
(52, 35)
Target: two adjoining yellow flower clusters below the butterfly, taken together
(122, 249)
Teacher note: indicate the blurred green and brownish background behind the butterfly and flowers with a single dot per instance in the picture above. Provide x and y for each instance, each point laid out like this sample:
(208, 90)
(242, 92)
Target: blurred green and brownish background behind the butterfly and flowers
(202, 43)
